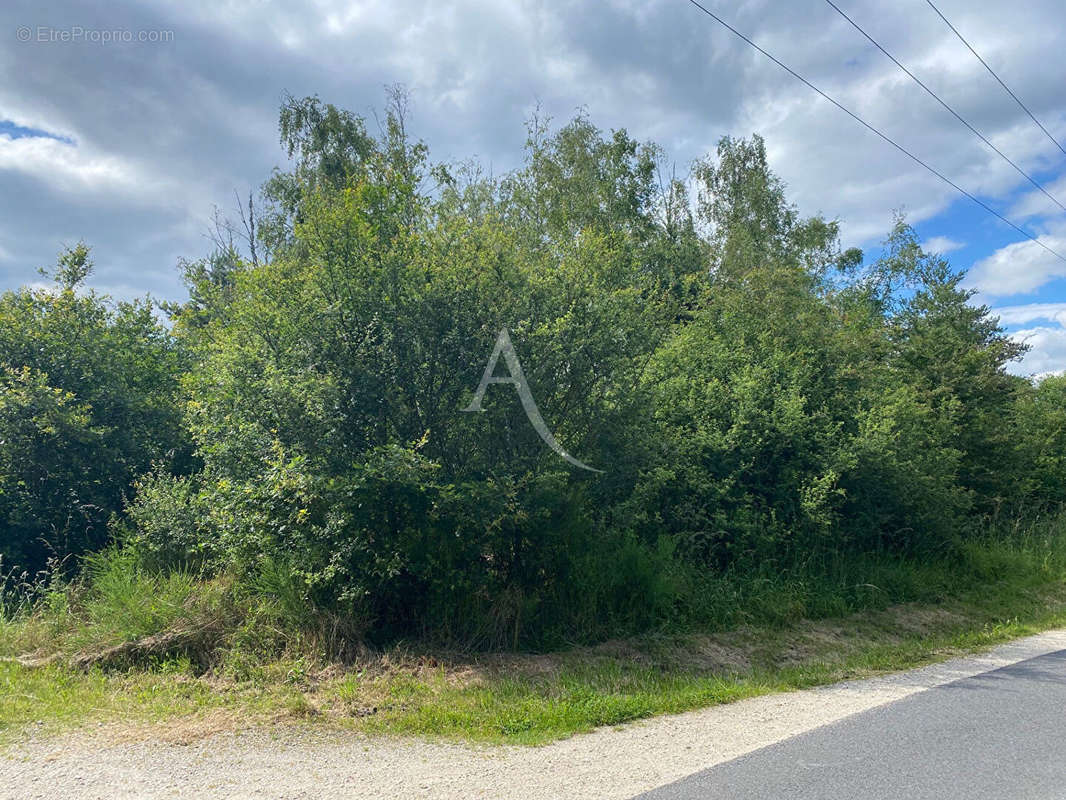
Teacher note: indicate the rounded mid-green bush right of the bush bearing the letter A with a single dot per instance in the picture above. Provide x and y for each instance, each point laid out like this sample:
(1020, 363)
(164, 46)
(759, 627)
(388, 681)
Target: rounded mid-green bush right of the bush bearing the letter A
(748, 407)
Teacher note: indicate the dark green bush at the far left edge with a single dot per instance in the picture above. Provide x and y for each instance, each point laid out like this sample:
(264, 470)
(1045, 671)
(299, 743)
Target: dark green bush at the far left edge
(88, 402)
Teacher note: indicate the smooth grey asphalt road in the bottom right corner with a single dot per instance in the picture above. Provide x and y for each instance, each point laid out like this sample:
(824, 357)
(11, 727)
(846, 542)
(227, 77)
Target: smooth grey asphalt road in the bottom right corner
(999, 735)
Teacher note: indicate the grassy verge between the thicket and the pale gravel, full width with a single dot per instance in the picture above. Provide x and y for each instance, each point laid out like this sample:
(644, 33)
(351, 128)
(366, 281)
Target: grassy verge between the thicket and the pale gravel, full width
(262, 673)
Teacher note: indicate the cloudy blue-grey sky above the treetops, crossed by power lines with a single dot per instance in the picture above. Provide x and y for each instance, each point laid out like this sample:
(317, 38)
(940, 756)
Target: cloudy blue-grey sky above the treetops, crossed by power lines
(125, 125)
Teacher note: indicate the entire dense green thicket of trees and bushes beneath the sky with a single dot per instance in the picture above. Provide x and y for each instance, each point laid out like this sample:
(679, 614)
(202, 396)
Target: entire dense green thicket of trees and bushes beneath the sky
(756, 397)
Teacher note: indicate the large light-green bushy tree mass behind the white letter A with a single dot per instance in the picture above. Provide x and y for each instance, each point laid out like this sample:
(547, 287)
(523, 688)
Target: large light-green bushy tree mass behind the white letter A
(327, 394)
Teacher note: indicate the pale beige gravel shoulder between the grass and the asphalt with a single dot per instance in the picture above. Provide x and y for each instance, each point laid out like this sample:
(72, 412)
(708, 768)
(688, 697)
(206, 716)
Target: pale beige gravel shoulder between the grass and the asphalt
(609, 763)
